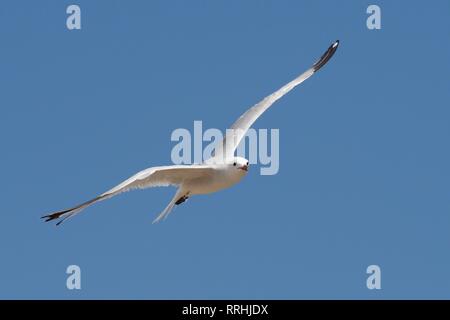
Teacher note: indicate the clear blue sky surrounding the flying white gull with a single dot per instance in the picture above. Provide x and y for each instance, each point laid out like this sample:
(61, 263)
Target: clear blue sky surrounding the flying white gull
(364, 149)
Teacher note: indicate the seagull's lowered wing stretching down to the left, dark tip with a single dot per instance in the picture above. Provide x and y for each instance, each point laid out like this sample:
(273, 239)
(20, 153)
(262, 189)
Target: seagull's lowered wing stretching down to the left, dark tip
(151, 177)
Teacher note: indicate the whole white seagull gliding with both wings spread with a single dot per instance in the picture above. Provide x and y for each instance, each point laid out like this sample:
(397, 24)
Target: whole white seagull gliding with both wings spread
(221, 171)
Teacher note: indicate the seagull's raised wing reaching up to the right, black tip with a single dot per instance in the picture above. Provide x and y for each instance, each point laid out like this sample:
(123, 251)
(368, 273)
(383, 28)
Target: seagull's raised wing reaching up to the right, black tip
(227, 147)
